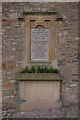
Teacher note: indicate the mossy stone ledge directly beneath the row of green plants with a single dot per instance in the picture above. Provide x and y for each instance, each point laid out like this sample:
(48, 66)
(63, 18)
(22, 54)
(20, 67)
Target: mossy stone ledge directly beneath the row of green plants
(39, 76)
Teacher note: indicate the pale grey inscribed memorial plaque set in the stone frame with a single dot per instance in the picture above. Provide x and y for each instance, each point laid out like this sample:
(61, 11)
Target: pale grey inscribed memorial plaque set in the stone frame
(39, 44)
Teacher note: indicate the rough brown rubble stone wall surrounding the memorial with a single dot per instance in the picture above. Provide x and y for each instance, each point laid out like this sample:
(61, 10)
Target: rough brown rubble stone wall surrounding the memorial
(13, 44)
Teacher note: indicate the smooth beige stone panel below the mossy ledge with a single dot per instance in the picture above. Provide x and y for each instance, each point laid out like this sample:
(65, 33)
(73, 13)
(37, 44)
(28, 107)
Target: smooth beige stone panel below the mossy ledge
(39, 97)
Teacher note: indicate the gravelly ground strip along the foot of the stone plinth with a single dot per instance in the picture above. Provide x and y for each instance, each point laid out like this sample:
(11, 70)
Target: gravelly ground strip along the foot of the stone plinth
(46, 113)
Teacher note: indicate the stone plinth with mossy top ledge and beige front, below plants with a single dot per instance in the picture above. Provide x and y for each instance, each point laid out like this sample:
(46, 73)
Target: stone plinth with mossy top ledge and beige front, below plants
(38, 91)
